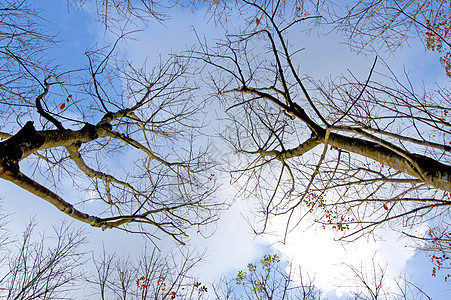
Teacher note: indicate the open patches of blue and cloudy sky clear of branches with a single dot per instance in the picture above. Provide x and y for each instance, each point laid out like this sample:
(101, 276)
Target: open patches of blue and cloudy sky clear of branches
(233, 245)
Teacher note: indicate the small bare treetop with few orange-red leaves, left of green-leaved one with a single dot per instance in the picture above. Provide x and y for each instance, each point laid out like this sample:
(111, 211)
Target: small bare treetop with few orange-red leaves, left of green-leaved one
(152, 276)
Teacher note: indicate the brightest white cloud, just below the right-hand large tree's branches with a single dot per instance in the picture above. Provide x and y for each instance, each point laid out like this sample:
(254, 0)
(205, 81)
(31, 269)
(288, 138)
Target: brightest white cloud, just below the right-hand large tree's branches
(318, 254)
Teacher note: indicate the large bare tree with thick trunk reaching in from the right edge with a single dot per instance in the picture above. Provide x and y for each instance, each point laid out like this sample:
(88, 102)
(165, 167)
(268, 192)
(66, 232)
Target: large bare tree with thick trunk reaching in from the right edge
(353, 153)
